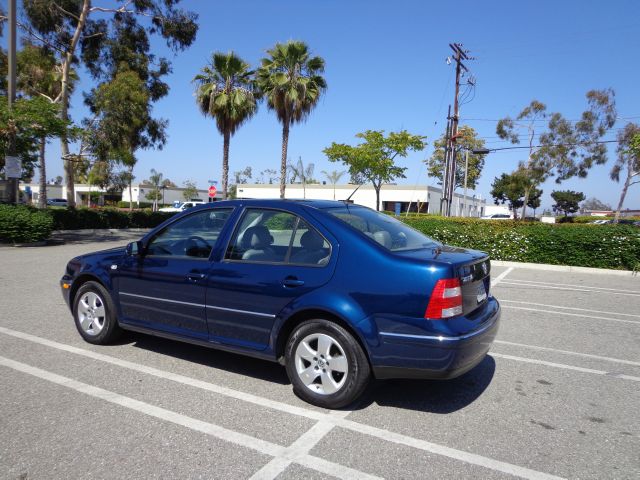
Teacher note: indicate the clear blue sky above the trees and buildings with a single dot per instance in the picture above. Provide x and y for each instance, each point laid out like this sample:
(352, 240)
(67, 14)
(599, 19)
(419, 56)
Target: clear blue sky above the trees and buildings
(385, 68)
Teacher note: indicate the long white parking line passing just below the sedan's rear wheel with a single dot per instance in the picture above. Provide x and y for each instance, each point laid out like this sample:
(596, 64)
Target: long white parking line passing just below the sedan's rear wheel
(376, 432)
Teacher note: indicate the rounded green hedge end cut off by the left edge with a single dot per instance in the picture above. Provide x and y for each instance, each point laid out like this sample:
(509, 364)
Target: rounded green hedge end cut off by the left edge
(22, 224)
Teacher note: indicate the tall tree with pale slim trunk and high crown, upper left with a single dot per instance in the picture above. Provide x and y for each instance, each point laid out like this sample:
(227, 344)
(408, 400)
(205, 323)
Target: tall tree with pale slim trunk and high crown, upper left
(79, 30)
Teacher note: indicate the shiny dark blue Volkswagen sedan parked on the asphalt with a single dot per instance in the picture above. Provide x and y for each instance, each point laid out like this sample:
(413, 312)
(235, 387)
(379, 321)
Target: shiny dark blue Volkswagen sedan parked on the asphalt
(335, 292)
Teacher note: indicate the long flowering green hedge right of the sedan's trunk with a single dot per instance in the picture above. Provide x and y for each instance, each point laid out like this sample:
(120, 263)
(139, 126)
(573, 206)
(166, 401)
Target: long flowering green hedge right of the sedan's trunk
(600, 246)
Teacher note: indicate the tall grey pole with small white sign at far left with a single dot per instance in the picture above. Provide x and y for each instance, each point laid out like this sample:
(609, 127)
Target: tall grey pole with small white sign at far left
(12, 163)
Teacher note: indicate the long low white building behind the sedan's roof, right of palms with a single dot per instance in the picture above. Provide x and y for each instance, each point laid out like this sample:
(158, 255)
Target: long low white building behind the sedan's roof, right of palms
(392, 197)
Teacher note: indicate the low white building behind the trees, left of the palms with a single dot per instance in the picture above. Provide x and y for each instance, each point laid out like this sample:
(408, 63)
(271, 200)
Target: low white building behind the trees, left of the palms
(100, 196)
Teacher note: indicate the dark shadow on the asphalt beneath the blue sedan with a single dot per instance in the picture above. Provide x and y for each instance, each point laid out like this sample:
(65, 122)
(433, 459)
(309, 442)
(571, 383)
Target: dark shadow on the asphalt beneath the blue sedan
(434, 396)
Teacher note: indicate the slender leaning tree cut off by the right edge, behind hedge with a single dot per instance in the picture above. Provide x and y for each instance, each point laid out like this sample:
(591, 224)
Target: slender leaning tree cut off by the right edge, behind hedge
(628, 159)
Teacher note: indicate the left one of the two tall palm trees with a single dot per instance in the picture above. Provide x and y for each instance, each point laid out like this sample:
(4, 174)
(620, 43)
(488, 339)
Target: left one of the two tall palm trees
(226, 92)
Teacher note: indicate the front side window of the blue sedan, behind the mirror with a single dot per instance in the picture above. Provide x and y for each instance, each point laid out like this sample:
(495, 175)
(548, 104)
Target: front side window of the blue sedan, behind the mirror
(192, 236)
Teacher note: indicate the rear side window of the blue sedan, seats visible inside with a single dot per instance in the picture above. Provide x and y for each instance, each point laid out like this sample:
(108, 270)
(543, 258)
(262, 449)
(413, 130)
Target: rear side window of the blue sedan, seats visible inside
(273, 236)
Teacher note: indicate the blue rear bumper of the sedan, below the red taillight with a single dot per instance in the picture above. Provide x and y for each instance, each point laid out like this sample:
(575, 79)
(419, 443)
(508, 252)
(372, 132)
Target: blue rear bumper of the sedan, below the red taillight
(402, 355)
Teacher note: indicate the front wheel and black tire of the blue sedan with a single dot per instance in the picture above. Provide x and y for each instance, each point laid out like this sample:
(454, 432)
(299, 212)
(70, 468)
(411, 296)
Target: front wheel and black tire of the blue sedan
(98, 329)
